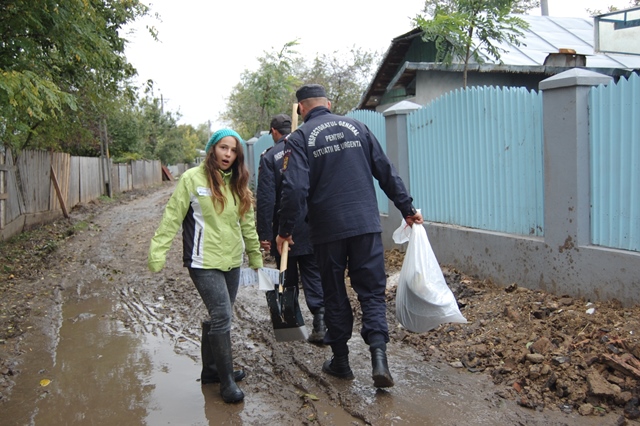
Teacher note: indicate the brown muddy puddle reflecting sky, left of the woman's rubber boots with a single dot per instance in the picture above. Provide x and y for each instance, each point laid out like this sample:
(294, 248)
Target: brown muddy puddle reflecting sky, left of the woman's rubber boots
(103, 374)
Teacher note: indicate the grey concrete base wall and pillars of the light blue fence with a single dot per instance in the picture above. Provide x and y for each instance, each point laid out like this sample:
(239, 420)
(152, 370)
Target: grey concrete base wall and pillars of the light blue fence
(563, 261)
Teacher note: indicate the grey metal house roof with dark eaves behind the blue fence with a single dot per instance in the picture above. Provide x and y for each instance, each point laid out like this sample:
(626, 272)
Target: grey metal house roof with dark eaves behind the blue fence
(545, 35)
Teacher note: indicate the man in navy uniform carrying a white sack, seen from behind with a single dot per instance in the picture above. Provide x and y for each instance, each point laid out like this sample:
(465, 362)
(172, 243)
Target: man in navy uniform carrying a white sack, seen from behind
(329, 173)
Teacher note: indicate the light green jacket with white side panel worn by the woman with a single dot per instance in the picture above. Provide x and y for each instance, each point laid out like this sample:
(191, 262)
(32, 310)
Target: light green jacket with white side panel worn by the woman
(211, 240)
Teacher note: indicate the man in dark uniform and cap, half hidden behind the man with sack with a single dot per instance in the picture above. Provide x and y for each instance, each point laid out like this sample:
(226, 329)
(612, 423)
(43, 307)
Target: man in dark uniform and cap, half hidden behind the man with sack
(268, 202)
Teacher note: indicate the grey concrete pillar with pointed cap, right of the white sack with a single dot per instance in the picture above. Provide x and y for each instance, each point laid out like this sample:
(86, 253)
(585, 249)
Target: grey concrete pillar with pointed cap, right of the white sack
(566, 157)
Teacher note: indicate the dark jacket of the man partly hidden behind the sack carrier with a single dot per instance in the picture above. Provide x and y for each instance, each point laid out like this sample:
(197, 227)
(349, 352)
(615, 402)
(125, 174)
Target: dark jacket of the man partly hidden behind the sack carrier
(268, 202)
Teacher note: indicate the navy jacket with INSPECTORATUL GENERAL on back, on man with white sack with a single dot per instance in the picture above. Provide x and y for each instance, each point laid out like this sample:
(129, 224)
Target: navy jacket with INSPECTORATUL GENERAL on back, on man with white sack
(329, 170)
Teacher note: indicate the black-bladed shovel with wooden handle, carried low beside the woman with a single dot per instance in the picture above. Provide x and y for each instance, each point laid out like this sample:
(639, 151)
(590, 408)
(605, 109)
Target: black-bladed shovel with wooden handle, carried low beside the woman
(288, 324)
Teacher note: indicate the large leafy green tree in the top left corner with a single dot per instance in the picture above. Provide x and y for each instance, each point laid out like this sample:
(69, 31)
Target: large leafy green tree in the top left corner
(60, 62)
